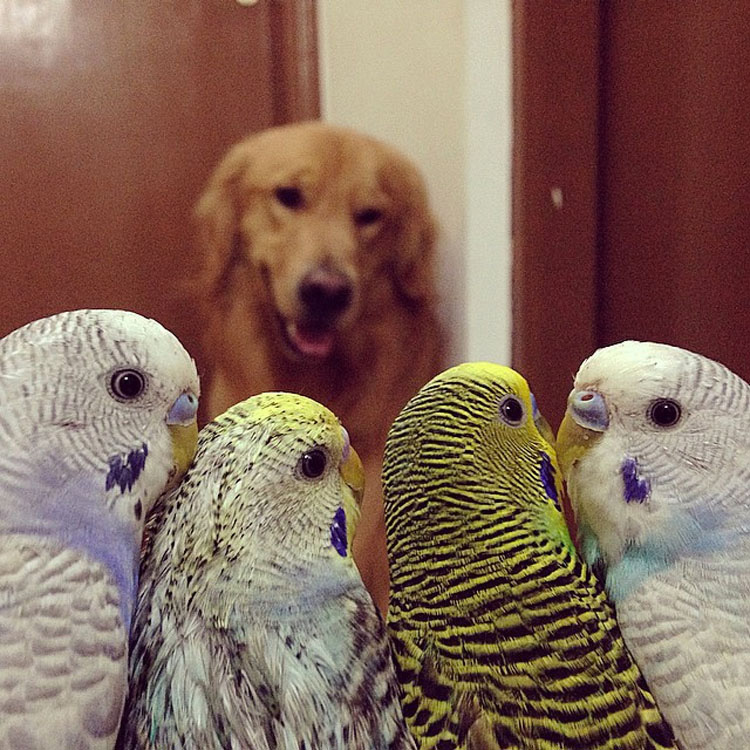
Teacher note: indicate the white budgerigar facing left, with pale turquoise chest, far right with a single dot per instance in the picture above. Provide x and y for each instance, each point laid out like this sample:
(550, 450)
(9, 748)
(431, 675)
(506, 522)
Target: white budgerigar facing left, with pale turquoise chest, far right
(656, 448)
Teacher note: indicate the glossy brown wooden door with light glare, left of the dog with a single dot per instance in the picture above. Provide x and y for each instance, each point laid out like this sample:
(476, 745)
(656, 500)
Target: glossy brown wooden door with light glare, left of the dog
(112, 115)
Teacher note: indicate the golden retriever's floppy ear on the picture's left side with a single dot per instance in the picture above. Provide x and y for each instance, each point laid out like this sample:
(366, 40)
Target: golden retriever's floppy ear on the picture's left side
(217, 215)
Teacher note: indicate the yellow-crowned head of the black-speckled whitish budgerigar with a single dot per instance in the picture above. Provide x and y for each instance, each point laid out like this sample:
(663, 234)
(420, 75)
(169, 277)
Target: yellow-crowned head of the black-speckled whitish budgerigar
(275, 489)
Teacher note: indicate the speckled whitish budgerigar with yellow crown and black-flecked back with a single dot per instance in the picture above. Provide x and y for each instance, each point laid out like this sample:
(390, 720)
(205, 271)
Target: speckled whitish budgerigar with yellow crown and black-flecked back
(253, 628)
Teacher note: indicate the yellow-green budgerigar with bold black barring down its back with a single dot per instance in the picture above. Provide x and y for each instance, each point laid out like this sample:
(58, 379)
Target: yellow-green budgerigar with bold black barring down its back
(501, 635)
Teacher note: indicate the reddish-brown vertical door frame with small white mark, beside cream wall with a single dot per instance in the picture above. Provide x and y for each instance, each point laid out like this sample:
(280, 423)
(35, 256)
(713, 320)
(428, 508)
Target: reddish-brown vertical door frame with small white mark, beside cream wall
(554, 194)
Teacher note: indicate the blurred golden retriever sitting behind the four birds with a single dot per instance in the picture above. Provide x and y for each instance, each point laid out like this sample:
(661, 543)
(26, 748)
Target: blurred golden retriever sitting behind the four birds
(317, 253)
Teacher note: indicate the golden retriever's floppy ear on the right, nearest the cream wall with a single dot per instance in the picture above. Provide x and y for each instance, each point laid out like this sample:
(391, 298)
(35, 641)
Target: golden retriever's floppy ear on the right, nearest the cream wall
(414, 251)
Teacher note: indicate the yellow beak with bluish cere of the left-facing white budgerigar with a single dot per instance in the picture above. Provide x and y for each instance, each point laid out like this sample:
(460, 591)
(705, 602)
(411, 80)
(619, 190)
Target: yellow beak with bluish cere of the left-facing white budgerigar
(585, 420)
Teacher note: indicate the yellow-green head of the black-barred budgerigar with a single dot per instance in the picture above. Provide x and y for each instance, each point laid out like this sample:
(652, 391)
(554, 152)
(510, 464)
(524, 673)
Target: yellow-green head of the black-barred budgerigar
(466, 452)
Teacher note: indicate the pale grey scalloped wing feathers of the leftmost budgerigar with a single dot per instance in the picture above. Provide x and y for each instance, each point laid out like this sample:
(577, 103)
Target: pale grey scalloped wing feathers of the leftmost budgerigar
(63, 644)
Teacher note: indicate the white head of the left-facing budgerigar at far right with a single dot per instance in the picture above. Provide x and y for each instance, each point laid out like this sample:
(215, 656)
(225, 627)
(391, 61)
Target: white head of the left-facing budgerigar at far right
(653, 441)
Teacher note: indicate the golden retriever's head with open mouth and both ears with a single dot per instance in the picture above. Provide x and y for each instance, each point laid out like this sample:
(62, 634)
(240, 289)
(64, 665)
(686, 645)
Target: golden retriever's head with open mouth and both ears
(333, 222)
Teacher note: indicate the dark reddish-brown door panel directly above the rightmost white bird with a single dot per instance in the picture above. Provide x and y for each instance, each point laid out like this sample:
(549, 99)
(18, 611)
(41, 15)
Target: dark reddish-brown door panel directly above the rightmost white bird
(675, 241)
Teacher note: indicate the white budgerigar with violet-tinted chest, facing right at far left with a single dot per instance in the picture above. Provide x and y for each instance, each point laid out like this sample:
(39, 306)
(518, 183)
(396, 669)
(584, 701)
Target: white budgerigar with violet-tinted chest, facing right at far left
(97, 418)
